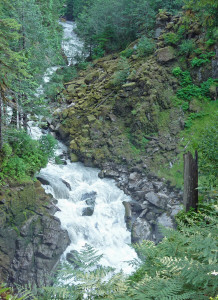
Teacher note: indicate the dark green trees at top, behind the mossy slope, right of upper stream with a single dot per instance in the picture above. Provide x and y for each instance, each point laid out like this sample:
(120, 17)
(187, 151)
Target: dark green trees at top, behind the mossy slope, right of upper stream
(108, 26)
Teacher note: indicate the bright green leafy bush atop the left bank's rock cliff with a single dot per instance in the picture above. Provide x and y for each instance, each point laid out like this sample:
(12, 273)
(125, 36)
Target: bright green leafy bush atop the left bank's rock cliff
(21, 156)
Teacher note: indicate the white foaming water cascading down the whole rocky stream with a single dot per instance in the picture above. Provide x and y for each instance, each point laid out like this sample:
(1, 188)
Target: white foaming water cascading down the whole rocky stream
(91, 208)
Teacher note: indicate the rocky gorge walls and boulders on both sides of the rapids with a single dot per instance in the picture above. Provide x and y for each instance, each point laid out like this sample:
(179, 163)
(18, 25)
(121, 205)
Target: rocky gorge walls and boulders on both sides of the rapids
(118, 115)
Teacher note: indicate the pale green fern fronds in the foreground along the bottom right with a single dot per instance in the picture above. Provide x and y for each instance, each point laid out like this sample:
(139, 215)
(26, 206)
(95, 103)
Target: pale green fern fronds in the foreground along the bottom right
(182, 266)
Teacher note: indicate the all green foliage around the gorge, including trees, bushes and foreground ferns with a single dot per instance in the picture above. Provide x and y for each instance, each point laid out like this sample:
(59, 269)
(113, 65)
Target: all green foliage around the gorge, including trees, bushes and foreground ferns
(184, 264)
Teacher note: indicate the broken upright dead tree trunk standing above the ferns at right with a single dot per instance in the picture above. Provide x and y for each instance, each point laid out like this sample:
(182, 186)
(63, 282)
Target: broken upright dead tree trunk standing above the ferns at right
(190, 196)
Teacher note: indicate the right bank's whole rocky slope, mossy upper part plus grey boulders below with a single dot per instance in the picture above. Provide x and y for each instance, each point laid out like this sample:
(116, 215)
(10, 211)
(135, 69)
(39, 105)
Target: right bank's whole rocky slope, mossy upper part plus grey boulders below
(121, 115)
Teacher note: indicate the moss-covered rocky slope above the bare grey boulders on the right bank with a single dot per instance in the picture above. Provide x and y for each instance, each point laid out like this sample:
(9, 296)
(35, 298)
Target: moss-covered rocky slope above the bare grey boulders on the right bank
(124, 108)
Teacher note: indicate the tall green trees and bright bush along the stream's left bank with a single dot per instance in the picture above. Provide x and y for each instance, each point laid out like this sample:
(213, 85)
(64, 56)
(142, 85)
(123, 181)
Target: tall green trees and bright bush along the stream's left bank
(30, 42)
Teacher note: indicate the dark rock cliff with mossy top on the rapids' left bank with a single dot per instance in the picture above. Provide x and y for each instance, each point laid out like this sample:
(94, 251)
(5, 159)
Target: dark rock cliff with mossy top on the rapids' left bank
(31, 238)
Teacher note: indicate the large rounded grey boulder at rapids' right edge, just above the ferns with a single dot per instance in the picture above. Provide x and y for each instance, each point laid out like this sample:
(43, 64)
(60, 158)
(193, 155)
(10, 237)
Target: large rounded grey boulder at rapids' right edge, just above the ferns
(141, 230)
